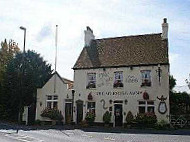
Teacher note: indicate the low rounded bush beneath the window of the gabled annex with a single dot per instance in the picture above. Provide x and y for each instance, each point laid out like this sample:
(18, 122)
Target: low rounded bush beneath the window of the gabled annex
(53, 114)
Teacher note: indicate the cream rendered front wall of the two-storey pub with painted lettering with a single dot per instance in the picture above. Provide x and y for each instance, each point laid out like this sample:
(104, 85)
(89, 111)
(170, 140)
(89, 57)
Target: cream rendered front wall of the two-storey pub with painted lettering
(104, 83)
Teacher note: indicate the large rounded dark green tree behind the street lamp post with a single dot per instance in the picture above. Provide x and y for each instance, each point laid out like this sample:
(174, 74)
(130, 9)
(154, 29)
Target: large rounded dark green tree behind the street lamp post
(22, 80)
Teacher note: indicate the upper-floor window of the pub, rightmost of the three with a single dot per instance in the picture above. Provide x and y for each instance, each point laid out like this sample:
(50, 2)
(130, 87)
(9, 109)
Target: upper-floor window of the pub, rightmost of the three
(146, 78)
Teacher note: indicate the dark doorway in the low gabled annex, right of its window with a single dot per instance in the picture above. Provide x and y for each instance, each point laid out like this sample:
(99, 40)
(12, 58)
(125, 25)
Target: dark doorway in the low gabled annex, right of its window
(68, 113)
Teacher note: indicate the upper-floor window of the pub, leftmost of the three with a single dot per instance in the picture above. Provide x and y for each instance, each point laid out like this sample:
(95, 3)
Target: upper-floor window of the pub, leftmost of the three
(91, 80)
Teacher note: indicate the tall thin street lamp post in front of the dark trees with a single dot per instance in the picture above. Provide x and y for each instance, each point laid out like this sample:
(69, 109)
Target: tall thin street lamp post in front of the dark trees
(21, 76)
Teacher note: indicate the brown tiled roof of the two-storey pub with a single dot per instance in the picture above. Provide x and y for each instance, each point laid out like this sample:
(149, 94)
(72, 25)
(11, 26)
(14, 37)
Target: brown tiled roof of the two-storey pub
(137, 50)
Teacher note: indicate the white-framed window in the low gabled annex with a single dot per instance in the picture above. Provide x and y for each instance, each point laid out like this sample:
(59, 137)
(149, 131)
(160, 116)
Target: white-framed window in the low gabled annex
(52, 101)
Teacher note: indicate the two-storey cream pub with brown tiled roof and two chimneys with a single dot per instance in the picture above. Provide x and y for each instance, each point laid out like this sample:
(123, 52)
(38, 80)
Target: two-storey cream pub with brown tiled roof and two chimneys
(122, 74)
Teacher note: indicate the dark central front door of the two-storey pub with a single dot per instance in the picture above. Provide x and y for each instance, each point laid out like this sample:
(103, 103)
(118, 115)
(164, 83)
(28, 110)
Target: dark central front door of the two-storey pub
(118, 114)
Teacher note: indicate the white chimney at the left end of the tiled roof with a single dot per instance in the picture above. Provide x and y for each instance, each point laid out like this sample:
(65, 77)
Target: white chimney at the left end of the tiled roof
(88, 36)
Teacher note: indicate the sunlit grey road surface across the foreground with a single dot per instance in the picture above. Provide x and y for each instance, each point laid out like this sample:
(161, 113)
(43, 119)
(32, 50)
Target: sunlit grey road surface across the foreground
(78, 135)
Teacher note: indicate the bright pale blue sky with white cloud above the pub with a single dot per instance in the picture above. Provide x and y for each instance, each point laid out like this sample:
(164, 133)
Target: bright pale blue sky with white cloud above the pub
(107, 18)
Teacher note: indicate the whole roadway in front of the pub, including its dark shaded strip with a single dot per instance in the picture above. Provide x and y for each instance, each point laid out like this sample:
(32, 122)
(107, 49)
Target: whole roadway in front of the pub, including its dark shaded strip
(92, 134)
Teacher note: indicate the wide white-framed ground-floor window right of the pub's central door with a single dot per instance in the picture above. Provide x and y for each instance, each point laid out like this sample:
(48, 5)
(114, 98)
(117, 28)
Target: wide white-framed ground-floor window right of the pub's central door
(146, 106)
